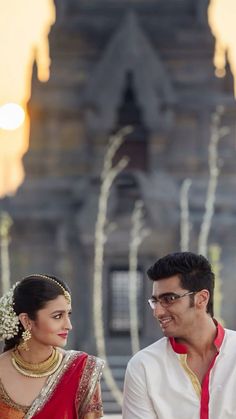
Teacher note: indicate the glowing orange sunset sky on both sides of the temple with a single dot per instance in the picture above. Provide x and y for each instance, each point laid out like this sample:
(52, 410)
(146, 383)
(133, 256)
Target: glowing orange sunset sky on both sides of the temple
(24, 29)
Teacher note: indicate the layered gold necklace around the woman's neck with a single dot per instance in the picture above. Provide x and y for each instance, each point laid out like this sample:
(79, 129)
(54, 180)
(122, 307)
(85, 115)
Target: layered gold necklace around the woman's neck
(41, 369)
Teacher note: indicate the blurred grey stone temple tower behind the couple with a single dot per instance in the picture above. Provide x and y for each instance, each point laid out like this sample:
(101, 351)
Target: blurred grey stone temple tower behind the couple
(146, 64)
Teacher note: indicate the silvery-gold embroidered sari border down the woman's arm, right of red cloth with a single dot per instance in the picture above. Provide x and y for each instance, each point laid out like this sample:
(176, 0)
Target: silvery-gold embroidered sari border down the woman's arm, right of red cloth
(89, 380)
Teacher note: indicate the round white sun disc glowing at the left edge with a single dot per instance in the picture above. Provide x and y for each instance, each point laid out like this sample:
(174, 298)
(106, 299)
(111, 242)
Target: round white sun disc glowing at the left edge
(11, 116)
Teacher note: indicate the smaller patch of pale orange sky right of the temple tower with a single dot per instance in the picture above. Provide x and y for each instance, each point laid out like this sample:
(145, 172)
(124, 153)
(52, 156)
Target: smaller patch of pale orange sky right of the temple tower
(222, 21)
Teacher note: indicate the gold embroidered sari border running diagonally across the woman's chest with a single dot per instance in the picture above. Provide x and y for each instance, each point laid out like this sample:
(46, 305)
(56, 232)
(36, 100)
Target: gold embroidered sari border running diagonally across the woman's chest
(50, 385)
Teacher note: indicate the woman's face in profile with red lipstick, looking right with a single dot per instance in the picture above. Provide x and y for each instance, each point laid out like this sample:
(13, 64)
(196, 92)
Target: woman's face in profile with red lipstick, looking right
(52, 324)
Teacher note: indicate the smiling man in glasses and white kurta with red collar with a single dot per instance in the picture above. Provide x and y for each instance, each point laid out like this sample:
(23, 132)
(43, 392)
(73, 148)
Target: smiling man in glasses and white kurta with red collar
(191, 372)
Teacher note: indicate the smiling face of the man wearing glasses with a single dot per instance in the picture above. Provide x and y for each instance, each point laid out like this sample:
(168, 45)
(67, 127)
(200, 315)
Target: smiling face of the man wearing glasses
(176, 319)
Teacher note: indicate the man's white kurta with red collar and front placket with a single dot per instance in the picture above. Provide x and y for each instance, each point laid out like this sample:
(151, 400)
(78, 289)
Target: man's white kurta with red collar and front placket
(157, 386)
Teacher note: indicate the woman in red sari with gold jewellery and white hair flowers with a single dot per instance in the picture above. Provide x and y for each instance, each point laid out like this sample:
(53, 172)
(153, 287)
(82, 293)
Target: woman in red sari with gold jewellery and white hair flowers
(38, 379)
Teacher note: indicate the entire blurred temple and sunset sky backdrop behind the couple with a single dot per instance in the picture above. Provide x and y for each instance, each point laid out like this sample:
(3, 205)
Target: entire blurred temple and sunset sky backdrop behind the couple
(117, 146)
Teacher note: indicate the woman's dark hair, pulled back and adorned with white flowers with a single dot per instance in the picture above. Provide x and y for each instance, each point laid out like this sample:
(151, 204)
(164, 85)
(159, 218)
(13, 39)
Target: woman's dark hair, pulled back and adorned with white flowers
(31, 295)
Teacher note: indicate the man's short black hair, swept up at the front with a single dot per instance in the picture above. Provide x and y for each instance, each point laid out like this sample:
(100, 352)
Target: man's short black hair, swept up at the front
(194, 271)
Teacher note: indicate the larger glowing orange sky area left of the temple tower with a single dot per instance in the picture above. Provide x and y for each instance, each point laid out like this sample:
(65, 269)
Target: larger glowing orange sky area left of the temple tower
(24, 29)
